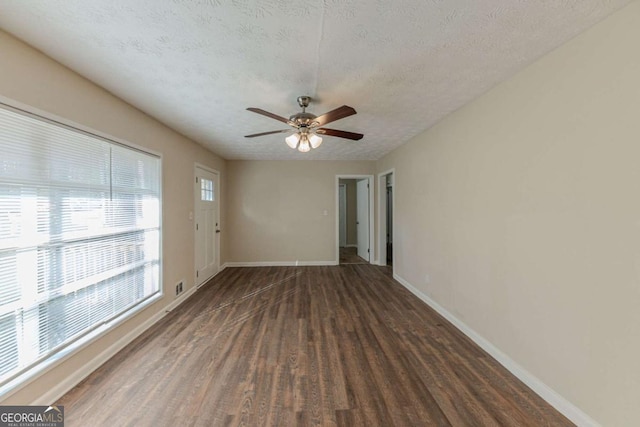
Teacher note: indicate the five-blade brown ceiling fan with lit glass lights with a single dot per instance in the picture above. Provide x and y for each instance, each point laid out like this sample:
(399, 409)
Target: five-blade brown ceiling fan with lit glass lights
(308, 126)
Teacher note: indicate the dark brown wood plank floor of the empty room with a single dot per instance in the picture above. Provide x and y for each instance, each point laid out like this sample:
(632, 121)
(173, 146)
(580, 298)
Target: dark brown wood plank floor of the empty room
(342, 345)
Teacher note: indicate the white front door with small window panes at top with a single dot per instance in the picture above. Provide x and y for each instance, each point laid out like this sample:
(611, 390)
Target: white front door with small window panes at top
(206, 224)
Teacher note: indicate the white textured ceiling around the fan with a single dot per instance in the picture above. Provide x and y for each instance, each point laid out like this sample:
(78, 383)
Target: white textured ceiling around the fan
(196, 65)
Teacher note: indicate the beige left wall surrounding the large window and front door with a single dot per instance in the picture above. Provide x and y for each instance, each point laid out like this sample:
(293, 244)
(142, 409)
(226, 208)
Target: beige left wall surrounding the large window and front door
(30, 78)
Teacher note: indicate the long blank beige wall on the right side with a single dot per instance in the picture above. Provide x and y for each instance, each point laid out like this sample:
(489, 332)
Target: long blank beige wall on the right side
(520, 214)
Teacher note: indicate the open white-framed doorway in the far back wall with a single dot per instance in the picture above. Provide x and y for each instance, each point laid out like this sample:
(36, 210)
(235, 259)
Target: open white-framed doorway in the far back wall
(354, 215)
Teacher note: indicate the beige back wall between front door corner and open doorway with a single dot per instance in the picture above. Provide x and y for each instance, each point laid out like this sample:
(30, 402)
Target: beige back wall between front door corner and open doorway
(278, 209)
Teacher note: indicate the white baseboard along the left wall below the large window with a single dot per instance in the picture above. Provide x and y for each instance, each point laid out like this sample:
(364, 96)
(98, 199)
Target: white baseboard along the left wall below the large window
(55, 393)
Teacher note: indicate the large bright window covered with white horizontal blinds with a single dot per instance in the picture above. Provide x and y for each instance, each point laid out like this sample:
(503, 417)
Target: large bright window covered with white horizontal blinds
(79, 236)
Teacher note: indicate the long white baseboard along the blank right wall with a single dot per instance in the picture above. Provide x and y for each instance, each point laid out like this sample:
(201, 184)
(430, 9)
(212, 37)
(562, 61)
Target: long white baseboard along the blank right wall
(565, 407)
